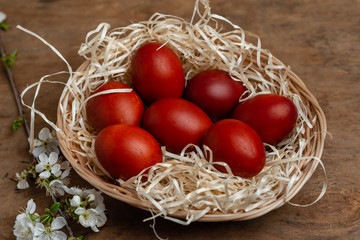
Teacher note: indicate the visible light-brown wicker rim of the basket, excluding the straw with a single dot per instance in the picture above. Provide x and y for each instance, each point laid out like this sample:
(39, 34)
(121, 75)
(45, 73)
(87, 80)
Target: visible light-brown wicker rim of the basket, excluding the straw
(75, 155)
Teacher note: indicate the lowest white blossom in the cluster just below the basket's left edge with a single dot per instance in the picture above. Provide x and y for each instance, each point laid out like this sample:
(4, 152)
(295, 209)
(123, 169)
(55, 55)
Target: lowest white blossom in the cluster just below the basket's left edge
(91, 218)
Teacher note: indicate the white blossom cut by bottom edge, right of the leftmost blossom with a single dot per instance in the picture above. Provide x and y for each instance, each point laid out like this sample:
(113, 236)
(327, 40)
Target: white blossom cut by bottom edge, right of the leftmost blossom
(51, 232)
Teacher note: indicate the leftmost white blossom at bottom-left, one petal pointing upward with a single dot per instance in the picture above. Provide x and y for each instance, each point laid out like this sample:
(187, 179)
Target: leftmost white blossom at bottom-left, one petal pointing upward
(25, 222)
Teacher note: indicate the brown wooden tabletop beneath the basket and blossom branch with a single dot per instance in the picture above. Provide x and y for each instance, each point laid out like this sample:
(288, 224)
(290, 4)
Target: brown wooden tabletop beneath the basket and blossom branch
(320, 40)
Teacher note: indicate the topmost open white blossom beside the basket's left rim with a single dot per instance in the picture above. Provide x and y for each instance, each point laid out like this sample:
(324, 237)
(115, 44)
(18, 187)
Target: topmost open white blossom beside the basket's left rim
(46, 143)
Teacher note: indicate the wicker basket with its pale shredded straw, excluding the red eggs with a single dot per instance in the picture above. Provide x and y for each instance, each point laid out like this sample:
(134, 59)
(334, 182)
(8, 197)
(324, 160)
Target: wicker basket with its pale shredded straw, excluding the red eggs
(186, 187)
